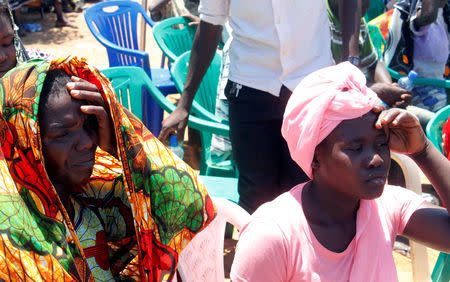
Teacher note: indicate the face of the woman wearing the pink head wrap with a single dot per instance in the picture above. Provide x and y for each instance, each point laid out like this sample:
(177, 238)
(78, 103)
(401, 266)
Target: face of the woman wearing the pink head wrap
(355, 158)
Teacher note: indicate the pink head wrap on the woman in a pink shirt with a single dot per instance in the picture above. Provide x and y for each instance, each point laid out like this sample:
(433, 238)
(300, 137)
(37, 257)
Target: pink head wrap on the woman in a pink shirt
(319, 103)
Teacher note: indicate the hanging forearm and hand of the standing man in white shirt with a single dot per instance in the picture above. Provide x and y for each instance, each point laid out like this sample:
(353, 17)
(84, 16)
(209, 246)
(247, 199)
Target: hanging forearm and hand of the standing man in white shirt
(203, 49)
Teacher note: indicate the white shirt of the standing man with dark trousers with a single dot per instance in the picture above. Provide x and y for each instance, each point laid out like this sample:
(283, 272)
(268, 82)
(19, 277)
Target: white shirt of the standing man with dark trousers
(275, 42)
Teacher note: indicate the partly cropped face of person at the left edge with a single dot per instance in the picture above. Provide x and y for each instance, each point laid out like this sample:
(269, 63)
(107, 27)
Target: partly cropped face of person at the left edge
(7, 49)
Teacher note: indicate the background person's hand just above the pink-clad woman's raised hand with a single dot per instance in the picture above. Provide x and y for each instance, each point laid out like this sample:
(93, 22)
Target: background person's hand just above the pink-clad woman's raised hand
(392, 95)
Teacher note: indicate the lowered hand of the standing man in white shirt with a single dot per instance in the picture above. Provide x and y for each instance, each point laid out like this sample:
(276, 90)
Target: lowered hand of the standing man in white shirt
(176, 122)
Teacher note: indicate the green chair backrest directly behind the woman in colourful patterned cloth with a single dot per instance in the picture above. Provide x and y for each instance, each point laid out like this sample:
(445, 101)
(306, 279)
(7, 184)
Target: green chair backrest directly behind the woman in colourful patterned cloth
(128, 83)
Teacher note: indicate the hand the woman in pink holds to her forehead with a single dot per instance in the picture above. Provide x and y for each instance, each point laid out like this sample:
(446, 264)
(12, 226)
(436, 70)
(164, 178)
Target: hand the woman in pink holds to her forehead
(403, 130)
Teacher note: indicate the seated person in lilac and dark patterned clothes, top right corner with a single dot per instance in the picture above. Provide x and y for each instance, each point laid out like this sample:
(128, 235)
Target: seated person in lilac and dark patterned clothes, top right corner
(424, 47)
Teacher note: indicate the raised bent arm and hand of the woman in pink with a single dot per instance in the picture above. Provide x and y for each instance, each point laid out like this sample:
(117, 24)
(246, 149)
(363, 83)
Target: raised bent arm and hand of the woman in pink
(428, 224)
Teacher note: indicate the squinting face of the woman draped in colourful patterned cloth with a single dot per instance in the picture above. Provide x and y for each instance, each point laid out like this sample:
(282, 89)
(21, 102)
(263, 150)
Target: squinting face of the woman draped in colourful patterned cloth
(69, 139)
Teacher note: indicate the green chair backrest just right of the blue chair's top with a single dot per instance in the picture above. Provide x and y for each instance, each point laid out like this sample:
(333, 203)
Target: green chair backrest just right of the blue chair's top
(174, 36)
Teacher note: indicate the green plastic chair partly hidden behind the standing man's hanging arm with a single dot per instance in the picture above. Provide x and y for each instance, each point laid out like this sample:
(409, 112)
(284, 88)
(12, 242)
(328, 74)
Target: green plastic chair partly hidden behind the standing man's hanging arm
(204, 106)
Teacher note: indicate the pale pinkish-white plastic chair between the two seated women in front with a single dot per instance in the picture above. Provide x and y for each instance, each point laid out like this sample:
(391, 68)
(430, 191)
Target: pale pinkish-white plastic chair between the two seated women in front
(202, 259)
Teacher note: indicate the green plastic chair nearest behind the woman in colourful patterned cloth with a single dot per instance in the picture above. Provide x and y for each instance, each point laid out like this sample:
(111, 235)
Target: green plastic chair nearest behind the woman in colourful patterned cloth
(129, 83)
